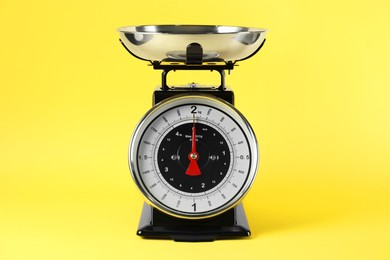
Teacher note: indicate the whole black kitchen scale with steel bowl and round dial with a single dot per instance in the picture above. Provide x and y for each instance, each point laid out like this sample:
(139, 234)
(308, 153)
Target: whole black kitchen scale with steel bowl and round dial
(193, 155)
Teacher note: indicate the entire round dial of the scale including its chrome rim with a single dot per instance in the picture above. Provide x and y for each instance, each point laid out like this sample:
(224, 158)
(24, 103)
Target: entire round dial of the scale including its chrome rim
(193, 156)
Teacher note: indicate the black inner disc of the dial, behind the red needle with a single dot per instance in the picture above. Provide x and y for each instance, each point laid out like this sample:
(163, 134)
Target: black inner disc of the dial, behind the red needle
(213, 158)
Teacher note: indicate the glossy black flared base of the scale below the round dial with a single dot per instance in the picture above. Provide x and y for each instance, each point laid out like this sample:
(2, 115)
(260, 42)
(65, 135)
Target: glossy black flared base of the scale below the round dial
(156, 224)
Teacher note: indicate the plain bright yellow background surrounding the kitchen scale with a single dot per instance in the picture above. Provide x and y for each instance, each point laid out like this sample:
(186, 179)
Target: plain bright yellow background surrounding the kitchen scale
(317, 96)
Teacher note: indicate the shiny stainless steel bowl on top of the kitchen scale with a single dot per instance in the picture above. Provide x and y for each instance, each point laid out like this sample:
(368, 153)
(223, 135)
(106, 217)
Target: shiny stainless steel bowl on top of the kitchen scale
(159, 42)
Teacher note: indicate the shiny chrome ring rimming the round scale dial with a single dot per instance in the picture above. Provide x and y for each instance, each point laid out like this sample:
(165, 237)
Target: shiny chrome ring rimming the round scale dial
(209, 100)
